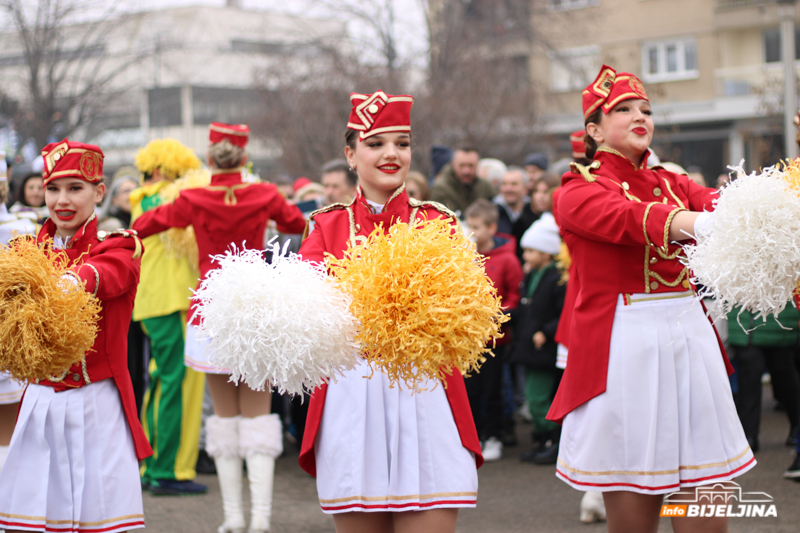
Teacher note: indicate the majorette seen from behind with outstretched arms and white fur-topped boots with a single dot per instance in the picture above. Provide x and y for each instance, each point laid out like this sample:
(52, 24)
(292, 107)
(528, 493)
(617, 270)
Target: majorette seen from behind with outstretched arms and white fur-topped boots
(231, 212)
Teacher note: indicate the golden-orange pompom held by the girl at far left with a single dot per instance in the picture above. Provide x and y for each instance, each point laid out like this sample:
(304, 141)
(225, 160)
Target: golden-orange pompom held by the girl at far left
(47, 322)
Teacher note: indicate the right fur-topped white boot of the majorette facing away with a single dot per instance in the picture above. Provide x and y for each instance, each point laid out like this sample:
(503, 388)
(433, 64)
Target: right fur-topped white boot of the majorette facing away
(261, 442)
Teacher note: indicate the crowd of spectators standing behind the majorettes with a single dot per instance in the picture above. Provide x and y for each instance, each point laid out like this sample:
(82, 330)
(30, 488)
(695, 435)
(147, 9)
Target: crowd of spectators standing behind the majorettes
(506, 210)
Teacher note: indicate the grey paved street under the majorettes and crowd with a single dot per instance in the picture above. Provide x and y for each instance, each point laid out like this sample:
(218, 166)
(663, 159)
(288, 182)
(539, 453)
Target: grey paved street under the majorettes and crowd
(513, 497)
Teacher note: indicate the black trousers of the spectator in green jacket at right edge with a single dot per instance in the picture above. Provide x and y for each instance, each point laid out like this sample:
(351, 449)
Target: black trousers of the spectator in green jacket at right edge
(752, 361)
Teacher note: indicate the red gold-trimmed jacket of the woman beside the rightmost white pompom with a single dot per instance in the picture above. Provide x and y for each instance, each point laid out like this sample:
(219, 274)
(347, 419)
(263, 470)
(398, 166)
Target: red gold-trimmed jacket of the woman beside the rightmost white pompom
(615, 217)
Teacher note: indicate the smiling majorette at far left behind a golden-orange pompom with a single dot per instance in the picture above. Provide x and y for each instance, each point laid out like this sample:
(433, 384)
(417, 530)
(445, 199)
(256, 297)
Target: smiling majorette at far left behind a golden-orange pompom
(73, 459)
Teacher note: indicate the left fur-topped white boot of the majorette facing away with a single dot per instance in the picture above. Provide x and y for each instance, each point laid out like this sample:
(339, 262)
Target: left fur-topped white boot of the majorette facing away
(222, 443)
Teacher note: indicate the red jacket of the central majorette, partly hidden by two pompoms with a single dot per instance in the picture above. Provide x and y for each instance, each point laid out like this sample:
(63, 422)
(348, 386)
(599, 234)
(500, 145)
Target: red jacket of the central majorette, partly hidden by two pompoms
(335, 228)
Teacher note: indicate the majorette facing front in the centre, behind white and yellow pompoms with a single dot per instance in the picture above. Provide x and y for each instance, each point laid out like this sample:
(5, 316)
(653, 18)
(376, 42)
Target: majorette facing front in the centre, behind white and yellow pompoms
(377, 451)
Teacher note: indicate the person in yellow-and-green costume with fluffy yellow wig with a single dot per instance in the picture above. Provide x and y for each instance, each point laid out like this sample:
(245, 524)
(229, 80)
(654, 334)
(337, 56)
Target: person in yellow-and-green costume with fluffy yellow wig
(171, 415)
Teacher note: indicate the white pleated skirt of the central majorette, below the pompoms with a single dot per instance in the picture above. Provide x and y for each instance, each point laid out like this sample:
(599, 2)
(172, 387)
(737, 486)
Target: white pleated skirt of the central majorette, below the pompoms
(384, 449)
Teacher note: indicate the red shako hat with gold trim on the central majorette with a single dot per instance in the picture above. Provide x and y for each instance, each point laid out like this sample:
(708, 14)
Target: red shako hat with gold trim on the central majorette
(377, 113)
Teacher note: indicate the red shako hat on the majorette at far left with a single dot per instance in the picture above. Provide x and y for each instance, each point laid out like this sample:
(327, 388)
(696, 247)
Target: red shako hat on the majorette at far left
(67, 159)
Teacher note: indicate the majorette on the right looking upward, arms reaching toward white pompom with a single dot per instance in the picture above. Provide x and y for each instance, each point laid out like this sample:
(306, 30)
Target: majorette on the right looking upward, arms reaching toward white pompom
(645, 400)
